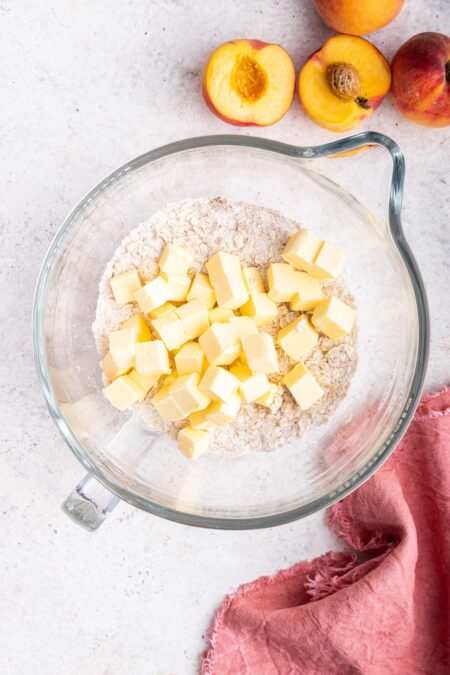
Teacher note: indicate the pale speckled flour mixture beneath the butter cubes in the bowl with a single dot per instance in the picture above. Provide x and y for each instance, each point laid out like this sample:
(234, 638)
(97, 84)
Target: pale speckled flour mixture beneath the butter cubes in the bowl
(257, 235)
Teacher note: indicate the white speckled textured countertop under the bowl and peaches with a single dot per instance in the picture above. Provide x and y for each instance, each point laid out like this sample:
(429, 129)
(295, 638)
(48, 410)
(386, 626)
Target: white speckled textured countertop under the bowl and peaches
(85, 86)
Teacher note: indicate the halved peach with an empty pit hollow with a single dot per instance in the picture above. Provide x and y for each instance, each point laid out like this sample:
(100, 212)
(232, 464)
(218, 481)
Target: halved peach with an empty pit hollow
(248, 82)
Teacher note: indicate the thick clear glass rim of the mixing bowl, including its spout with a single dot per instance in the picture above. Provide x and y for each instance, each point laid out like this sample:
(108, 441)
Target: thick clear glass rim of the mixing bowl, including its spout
(331, 149)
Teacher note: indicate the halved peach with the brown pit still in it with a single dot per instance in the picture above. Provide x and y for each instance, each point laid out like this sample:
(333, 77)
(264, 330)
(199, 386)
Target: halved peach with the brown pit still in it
(343, 82)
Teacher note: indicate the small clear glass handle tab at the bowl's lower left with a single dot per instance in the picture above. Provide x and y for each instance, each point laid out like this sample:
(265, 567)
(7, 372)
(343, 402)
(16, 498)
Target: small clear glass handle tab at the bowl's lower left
(89, 503)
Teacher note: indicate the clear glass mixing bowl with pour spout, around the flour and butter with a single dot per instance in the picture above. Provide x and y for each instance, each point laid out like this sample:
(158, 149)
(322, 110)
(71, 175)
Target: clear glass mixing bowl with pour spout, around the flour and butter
(127, 460)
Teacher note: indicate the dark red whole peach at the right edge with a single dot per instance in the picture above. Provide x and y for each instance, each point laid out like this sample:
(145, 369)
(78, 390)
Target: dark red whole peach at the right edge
(421, 79)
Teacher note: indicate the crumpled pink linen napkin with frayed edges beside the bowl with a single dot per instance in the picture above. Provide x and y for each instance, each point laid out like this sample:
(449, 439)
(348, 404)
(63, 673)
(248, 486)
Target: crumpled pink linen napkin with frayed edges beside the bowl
(383, 608)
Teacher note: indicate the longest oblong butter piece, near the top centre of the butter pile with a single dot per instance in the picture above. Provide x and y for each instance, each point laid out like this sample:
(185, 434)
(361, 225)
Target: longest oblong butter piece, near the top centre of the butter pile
(225, 274)
